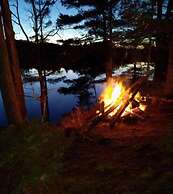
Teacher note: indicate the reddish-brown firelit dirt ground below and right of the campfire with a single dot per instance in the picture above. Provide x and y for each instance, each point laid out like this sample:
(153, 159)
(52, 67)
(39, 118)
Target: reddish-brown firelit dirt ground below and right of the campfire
(131, 158)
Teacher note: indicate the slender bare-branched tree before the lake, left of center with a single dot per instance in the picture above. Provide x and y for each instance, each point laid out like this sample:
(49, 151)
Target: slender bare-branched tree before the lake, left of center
(40, 10)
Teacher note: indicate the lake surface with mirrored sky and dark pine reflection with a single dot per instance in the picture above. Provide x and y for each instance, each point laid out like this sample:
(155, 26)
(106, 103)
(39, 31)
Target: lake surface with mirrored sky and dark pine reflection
(62, 90)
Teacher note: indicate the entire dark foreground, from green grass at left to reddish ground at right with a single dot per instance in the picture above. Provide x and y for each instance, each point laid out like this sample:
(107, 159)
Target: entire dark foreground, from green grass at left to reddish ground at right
(38, 159)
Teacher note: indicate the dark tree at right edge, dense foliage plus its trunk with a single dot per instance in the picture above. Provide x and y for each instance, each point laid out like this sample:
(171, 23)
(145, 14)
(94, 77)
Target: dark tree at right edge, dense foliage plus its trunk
(146, 20)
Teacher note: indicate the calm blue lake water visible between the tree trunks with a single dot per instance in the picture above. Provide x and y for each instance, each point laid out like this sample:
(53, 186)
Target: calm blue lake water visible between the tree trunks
(60, 103)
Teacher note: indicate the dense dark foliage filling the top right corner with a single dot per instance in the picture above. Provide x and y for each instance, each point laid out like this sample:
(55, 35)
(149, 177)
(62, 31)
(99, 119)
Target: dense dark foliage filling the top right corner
(145, 20)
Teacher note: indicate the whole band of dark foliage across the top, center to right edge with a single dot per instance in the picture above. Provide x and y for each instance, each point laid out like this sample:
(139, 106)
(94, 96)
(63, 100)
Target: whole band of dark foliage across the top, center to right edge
(126, 22)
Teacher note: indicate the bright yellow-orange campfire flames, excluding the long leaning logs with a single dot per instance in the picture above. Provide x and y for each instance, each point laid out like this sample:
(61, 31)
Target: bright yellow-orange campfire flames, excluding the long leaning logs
(115, 95)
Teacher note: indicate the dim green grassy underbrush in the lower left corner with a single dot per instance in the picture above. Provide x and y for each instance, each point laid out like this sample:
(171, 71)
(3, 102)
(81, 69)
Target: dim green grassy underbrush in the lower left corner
(31, 157)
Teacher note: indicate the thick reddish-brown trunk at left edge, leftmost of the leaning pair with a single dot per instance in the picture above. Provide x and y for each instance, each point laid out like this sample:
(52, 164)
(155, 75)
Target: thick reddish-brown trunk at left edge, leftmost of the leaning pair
(11, 102)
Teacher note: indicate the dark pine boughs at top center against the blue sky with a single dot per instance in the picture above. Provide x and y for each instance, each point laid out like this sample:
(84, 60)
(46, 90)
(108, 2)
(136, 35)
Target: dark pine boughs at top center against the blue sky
(97, 17)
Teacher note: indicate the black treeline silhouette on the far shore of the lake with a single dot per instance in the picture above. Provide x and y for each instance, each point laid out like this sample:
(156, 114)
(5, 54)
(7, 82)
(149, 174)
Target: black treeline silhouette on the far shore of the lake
(52, 56)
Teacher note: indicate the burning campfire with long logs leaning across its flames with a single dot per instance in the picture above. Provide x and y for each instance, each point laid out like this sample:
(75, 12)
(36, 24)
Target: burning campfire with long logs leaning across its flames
(119, 101)
